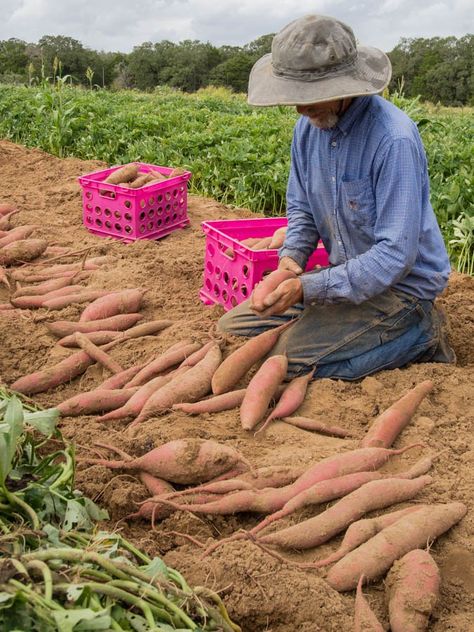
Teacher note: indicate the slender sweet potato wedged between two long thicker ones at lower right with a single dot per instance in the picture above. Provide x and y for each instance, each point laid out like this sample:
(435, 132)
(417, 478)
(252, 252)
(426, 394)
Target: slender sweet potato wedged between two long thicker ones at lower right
(362, 530)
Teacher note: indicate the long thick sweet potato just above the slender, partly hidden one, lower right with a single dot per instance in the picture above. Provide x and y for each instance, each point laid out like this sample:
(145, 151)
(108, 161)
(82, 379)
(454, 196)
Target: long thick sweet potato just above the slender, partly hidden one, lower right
(321, 528)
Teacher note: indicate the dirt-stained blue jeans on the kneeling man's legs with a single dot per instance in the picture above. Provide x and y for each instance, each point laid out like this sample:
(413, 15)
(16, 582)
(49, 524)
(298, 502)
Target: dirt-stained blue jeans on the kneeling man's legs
(347, 341)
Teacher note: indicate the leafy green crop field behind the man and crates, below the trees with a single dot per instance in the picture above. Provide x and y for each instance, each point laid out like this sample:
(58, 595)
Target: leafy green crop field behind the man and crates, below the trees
(237, 154)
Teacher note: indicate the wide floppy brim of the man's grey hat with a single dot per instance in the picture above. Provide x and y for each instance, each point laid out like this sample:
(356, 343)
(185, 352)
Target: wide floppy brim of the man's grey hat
(370, 74)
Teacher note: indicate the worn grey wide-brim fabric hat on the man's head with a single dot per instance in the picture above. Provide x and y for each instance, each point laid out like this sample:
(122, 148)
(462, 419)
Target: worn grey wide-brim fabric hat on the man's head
(315, 59)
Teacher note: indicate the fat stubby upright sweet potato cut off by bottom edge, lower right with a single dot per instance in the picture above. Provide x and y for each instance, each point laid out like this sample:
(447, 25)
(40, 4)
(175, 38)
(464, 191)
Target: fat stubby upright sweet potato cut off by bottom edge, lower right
(412, 590)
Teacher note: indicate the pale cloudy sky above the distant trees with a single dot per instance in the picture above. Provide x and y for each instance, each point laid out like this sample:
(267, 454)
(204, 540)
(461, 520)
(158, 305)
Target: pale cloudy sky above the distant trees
(119, 25)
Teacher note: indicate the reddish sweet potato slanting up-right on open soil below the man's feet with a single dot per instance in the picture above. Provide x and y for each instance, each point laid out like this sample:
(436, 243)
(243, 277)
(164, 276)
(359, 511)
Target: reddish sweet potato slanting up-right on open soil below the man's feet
(386, 428)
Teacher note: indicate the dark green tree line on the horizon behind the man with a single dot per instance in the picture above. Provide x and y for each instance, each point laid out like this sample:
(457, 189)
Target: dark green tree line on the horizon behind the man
(438, 69)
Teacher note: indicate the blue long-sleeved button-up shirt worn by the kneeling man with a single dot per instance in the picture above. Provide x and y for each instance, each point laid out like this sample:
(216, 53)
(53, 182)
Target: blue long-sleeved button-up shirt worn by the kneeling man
(363, 189)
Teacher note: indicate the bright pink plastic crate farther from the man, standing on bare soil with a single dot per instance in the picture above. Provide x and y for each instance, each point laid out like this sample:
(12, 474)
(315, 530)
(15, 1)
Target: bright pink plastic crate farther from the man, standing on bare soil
(150, 212)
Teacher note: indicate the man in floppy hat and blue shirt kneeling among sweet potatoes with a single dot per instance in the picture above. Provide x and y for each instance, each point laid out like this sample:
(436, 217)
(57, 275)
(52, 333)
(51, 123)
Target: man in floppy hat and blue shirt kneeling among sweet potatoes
(359, 182)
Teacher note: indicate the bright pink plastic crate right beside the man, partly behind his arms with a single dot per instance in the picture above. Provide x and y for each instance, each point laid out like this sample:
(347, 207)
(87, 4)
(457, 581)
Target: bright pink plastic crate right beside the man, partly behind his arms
(229, 280)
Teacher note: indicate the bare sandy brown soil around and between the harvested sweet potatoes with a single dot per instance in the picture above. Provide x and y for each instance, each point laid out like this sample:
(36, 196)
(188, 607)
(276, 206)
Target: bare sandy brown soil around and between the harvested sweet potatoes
(260, 592)
